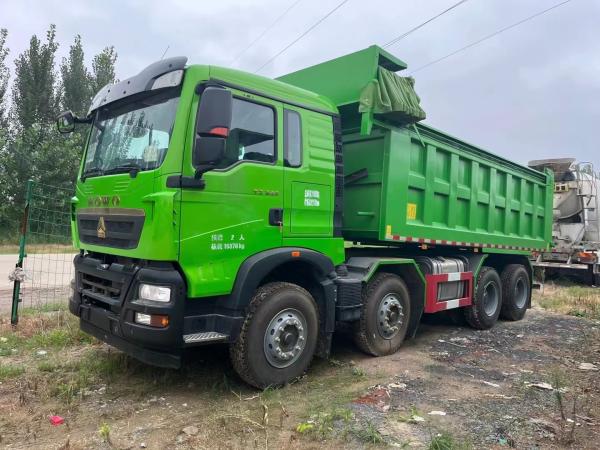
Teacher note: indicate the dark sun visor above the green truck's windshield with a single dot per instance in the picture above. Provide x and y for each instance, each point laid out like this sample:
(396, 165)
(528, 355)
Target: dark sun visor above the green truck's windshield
(141, 82)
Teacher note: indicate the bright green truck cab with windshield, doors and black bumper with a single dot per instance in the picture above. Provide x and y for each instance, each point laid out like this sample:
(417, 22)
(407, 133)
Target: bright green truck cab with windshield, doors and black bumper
(158, 228)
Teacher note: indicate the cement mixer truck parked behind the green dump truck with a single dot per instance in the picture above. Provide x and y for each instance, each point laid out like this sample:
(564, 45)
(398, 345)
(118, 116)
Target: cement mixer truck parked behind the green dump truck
(576, 222)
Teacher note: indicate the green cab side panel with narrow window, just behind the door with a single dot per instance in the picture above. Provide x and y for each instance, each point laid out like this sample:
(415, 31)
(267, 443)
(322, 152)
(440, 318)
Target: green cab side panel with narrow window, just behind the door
(308, 154)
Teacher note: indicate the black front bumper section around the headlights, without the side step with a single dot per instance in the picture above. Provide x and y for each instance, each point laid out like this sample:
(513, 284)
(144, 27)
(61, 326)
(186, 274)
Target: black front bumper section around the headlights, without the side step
(105, 300)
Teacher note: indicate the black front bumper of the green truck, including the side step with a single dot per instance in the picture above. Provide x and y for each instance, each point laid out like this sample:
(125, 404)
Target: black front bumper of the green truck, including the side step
(105, 299)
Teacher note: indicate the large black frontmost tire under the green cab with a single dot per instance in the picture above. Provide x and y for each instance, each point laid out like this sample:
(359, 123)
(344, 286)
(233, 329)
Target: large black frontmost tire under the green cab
(249, 354)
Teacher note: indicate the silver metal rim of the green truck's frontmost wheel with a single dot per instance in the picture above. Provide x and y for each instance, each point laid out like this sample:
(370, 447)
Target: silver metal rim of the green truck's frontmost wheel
(285, 338)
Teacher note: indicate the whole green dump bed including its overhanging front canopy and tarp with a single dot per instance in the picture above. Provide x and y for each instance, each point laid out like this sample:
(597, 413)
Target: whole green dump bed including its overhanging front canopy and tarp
(407, 182)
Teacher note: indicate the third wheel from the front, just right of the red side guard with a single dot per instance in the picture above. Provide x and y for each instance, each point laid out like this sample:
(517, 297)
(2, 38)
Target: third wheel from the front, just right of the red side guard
(484, 311)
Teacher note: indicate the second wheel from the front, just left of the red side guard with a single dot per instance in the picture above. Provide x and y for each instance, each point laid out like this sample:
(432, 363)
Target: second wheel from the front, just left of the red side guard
(368, 334)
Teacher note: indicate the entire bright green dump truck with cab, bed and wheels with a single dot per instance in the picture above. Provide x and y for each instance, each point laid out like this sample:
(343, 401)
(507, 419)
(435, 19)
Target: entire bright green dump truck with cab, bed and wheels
(218, 206)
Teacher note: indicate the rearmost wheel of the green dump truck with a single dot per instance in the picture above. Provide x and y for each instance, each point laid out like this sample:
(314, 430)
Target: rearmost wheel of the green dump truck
(516, 292)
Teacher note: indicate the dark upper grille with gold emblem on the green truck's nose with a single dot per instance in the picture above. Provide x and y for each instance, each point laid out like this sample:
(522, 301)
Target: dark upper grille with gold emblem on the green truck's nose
(119, 228)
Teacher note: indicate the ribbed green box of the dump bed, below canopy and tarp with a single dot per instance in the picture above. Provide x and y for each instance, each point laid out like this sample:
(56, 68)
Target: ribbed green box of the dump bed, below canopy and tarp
(433, 188)
